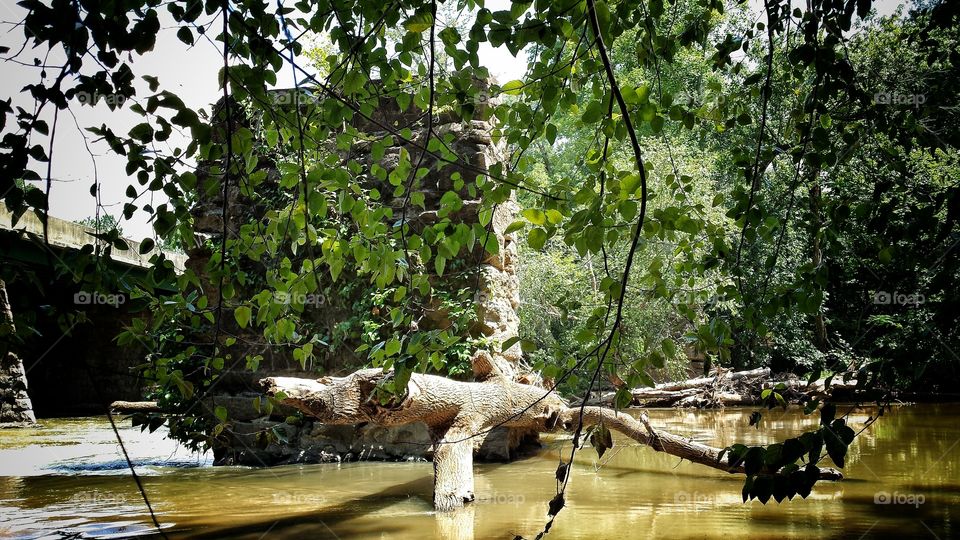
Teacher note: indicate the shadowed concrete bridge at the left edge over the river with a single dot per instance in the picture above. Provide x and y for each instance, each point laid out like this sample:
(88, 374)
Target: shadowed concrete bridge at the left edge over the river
(60, 326)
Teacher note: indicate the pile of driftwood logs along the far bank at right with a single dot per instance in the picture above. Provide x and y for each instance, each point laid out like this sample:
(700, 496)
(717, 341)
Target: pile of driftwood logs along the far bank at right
(729, 388)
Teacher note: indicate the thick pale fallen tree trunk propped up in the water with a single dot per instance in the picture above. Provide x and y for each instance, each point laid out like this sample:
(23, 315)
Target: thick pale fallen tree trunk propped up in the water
(459, 414)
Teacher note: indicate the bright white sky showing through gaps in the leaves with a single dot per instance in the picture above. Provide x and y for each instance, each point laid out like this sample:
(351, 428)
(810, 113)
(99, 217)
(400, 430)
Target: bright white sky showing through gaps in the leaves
(191, 72)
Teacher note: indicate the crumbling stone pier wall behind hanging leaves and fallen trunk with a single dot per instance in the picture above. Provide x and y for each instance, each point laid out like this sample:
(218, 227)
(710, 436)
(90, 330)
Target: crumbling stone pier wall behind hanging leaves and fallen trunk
(496, 300)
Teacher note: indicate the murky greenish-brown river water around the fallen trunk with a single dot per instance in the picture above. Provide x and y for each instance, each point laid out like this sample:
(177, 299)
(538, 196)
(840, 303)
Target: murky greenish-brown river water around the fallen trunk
(67, 477)
